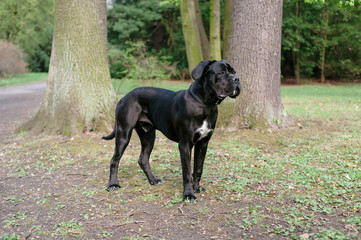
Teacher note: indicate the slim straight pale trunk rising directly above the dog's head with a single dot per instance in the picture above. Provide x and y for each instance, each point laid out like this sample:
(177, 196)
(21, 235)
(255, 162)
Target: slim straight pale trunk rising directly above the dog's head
(215, 30)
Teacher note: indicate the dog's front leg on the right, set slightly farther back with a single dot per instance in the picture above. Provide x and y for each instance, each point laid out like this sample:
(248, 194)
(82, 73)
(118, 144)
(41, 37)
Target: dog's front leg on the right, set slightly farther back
(199, 156)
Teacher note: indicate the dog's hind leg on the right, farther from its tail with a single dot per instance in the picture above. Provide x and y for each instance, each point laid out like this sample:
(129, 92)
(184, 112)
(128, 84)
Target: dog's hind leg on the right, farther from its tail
(146, 135)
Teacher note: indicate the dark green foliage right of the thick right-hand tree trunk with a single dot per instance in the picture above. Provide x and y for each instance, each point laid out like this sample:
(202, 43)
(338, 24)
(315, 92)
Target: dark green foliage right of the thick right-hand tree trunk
(303, 35)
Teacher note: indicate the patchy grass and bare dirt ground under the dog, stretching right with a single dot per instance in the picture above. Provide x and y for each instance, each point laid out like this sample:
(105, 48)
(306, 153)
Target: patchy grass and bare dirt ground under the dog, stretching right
(301, 182)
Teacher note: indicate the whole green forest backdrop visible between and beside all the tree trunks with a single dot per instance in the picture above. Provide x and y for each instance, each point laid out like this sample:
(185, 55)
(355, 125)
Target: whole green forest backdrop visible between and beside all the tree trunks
(146, 40)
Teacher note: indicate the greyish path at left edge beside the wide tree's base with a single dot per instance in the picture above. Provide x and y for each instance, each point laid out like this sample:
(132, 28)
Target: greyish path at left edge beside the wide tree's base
(17, 104)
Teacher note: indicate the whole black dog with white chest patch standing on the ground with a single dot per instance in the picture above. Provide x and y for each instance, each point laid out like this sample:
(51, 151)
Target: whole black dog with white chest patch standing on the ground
(187, 117)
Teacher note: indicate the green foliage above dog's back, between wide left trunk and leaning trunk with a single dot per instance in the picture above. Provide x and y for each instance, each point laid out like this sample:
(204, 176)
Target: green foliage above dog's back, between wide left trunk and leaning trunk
(157, 26)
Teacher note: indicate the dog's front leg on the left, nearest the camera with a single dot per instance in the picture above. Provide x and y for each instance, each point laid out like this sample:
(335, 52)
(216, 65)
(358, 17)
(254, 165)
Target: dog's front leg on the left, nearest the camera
(185, 149)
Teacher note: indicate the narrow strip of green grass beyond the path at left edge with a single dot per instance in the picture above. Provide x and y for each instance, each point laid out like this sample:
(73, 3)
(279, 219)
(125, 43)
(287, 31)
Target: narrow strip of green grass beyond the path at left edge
(25, 78)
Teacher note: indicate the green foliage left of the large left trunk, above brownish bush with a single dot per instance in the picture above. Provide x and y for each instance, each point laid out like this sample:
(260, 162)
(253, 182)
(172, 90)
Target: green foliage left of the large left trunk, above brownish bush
(29, 24)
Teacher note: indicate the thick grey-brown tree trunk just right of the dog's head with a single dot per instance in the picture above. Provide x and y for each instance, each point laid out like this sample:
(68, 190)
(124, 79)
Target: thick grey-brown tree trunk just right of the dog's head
(255, 52)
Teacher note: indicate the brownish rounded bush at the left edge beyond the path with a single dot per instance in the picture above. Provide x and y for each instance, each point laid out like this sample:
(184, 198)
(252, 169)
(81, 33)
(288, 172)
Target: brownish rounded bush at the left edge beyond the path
(11, 59)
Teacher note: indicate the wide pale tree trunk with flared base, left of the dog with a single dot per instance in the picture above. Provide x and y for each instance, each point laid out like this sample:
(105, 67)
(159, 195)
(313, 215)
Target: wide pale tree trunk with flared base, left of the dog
(79, 95)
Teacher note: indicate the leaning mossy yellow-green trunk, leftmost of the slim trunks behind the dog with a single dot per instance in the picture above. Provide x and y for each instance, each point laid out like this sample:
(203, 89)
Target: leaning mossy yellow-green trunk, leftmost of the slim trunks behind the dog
(191, 33)
